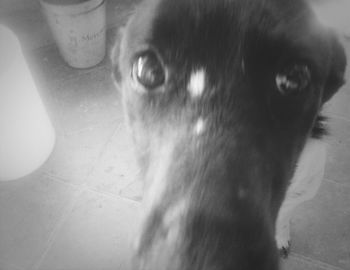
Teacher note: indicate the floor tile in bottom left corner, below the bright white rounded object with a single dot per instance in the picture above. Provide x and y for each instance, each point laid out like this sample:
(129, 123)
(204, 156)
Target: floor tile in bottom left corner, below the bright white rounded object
(30, 208)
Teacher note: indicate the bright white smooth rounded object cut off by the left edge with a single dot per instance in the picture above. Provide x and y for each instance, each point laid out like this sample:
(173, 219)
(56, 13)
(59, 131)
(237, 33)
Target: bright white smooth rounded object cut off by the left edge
(26, 134)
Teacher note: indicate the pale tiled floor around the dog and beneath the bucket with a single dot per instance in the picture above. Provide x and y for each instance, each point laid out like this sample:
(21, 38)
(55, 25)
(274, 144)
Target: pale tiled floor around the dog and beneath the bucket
(80, 208)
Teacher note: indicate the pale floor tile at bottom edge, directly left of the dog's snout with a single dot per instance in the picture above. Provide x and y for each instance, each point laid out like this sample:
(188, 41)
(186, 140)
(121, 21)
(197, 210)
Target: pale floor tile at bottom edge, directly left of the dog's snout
(96, 235)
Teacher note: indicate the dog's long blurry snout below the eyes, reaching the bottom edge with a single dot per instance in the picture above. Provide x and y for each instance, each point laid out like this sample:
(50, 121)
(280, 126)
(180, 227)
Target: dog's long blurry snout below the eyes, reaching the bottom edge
(206, 201)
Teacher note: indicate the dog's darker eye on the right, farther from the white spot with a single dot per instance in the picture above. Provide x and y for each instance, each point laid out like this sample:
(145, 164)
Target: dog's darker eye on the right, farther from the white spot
(292, 79)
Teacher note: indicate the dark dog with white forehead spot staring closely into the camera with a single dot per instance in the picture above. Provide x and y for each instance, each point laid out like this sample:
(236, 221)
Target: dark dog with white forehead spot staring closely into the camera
(223, 100)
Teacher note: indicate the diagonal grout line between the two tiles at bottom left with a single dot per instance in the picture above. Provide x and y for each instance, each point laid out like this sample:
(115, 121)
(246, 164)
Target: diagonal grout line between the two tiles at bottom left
(58, 226)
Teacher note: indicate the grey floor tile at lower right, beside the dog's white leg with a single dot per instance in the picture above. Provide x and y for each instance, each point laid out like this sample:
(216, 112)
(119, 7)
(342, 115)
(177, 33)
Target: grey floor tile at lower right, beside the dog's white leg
(320, 227)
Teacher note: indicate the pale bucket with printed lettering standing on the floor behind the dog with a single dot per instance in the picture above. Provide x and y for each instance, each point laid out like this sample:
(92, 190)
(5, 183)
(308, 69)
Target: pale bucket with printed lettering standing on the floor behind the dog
(79, 29)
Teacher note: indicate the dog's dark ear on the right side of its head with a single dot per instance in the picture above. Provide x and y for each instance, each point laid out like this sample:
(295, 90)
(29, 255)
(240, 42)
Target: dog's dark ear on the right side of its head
(336, 72)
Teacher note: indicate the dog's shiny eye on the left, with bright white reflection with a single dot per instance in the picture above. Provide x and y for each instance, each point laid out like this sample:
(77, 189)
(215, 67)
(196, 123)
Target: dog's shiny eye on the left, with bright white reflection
(148, 71)
